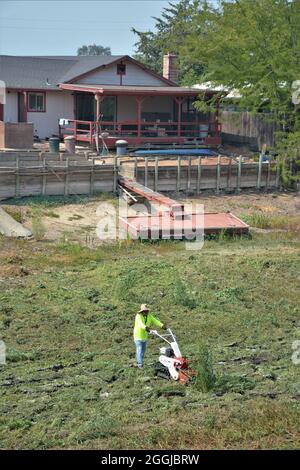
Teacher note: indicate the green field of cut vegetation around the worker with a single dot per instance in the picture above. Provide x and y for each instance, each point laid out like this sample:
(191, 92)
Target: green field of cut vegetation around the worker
(67, 316)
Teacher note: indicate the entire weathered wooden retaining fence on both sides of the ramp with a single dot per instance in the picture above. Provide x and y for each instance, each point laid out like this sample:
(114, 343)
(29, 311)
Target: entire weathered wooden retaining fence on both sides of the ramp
(33, 174)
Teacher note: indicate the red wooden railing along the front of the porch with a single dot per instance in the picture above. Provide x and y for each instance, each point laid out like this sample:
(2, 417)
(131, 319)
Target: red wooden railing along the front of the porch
(86, 130)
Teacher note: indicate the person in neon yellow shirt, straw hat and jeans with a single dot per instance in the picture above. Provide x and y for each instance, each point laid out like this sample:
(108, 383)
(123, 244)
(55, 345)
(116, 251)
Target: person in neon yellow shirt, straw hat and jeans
(143, 321)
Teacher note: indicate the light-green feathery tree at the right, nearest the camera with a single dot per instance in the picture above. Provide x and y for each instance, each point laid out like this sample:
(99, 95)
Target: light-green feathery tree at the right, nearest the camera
(252, 46)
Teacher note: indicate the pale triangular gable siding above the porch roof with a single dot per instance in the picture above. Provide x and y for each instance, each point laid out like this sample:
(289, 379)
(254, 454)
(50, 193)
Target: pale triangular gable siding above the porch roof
(134, 76)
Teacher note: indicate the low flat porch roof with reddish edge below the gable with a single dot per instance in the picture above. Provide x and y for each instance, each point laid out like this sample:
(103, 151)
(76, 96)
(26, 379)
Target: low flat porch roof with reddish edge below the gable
(131, 90)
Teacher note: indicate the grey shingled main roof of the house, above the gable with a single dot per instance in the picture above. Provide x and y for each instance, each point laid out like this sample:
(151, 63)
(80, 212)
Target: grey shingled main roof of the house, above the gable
(46, 72)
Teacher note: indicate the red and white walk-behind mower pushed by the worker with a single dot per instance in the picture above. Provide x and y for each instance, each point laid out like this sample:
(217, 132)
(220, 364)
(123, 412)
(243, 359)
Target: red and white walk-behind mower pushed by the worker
(171, 364)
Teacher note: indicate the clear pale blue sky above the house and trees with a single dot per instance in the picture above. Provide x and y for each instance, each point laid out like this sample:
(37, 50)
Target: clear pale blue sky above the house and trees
(60, 27)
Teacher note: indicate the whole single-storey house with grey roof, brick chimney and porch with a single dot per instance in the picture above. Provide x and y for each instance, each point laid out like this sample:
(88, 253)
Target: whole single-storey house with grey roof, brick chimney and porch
(86, 95)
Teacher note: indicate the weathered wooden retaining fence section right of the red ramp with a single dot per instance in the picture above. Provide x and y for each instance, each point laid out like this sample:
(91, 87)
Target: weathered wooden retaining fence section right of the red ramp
(190, 174)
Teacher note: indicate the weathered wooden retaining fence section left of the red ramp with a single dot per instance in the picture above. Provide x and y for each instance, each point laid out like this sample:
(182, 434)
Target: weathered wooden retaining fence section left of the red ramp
(33, 174)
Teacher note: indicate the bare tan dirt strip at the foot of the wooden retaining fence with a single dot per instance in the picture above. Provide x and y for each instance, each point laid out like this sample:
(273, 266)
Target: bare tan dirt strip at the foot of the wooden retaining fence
(78, 222)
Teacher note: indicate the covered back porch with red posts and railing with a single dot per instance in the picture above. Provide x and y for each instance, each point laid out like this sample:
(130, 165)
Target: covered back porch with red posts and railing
(141, 115)
